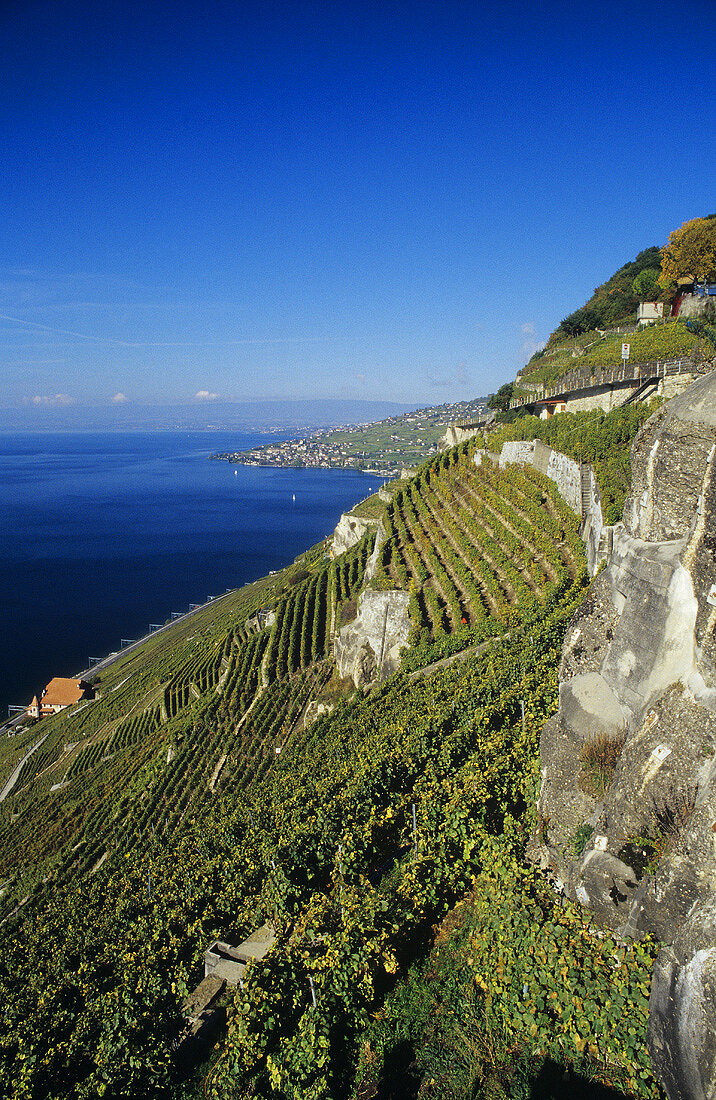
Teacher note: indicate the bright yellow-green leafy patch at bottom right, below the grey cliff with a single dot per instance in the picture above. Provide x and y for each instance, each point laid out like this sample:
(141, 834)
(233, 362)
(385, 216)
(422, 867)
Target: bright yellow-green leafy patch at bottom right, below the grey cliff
(498, 1003)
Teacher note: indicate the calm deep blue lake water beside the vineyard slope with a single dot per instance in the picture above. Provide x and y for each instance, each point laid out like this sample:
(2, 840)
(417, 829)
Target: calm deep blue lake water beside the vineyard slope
(104, 534)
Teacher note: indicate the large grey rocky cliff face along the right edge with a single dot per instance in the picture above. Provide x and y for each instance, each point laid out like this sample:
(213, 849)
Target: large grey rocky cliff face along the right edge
(627, 807)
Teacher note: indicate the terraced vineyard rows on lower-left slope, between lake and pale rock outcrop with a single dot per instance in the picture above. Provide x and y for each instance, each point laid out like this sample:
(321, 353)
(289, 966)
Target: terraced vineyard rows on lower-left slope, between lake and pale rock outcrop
(217, 708)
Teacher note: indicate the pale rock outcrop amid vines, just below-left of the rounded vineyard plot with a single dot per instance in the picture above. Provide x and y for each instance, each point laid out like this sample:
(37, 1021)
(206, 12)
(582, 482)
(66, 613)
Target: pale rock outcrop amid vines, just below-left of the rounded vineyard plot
(370, 648)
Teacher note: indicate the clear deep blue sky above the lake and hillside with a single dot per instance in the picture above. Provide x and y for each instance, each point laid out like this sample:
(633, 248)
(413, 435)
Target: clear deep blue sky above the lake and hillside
(378, 201)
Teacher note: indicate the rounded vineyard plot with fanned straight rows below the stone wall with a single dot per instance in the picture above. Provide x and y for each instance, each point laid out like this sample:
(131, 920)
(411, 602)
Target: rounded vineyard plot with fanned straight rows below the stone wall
(472, 543)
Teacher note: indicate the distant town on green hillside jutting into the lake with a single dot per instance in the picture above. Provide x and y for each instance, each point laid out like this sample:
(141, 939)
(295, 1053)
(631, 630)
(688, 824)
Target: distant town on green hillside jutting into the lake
(384, 448)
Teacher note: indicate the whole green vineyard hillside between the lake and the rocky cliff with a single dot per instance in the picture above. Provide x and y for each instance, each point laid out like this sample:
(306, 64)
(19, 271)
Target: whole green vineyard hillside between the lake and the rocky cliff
(193, 800)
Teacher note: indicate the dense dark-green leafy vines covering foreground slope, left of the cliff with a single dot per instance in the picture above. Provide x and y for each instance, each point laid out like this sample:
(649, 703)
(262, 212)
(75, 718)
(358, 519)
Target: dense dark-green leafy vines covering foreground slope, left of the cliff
(112, 953)
